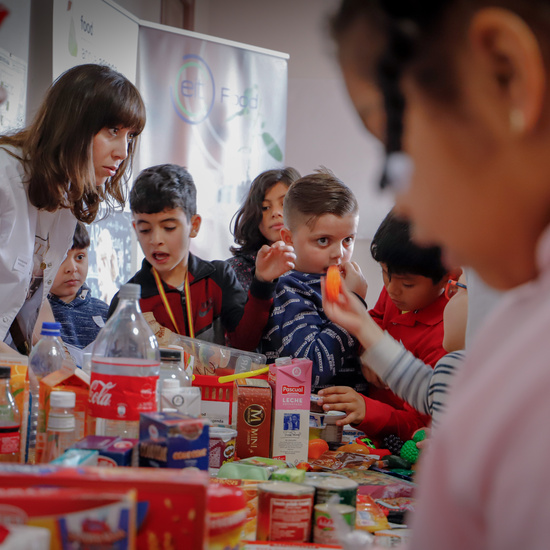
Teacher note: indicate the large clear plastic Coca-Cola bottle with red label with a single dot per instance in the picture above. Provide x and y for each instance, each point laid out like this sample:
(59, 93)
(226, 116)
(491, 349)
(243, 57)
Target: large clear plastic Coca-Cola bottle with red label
(125, 370)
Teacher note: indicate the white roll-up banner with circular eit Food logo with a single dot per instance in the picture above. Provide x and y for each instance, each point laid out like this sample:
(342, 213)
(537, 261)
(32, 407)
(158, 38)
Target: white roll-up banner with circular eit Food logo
(219, 109)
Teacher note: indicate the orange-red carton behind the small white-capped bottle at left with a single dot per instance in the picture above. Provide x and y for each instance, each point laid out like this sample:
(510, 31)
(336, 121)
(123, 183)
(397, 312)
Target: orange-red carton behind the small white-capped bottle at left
(67, 378)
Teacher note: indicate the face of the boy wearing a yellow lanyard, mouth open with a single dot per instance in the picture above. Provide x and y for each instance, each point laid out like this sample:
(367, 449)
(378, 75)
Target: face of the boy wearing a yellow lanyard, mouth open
(164, 238)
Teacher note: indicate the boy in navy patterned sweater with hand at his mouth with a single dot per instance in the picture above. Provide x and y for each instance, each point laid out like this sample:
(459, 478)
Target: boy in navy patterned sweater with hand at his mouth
(320, 221)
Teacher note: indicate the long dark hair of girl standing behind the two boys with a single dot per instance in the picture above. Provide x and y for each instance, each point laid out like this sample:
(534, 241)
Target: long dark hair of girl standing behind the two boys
(247, 219)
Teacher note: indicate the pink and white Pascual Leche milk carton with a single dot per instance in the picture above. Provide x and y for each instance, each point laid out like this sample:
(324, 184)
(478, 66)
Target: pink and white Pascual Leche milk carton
(291, 385)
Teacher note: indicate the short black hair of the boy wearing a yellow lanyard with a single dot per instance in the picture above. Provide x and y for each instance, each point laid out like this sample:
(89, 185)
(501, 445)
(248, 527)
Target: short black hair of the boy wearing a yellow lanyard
(164, 186)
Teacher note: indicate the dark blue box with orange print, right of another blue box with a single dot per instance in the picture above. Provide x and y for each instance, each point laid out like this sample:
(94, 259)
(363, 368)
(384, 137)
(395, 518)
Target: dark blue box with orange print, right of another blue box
(173, 440)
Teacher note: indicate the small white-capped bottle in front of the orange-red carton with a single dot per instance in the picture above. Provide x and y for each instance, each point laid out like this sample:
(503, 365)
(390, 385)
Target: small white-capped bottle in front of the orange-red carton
(61, 431)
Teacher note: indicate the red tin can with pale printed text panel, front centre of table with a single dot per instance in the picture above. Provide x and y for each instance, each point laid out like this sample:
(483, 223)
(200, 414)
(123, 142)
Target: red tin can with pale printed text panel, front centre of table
(284, 511)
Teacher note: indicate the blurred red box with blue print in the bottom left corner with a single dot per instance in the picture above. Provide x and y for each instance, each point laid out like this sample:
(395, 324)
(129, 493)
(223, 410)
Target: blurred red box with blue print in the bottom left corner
(75, 518)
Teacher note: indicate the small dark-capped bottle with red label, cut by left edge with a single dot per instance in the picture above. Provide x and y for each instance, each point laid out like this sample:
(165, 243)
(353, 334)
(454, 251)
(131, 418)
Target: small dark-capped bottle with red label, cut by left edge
(10, 420)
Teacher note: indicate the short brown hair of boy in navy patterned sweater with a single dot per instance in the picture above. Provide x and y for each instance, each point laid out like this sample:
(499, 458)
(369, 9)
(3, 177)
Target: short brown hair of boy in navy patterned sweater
(317, 194)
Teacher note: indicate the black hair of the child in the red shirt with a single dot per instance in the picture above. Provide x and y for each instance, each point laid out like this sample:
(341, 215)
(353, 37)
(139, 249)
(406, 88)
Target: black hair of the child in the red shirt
(392, 245)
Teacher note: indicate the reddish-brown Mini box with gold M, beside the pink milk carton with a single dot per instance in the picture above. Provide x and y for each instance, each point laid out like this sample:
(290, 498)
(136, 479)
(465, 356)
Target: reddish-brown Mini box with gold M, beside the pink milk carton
(253, 417)
